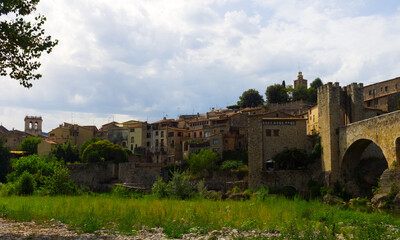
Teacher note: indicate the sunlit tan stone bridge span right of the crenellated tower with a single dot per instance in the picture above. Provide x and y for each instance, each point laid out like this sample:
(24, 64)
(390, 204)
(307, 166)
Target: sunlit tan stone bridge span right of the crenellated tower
(384, 131)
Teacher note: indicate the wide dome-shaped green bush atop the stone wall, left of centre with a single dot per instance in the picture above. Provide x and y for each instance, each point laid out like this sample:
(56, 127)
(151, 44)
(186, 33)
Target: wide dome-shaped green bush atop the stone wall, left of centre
(102, 151)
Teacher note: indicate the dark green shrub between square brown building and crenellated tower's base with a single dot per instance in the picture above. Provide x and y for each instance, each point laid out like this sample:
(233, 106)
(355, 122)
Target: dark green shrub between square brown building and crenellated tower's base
(291, 158)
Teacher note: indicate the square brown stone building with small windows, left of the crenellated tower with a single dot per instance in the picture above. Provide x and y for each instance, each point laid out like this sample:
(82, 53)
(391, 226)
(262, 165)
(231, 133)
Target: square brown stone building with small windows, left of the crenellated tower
(269, 134)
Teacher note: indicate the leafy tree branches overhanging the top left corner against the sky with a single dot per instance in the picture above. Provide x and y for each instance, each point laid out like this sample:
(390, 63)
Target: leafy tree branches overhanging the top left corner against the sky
(22, 42)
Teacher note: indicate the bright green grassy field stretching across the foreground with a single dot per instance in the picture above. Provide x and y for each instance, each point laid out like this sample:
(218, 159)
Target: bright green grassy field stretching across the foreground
(294, 219)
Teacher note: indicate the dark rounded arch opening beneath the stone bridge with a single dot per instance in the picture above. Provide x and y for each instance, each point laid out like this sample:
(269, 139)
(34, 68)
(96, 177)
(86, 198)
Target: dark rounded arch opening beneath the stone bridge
(362, 165)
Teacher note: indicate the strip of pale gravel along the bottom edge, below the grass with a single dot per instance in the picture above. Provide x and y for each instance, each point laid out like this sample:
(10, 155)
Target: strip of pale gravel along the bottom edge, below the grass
(57, 230)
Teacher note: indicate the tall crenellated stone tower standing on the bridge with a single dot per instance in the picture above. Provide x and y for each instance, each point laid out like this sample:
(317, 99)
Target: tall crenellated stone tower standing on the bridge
(337, 107)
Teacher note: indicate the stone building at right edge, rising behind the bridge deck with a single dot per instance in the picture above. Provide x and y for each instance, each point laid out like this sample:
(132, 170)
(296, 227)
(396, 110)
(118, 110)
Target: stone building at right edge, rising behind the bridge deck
(383, 95)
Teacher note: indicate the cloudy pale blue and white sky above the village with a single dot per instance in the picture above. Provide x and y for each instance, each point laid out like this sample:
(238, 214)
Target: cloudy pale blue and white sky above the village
(146, 59)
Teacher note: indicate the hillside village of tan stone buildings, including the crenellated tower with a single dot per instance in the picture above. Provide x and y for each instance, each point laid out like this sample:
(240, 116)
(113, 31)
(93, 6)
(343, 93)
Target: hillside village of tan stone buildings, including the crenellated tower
(261, 132)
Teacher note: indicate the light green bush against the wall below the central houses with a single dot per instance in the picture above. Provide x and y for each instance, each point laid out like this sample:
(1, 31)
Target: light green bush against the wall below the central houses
(205, 160)
